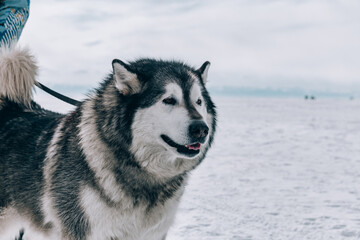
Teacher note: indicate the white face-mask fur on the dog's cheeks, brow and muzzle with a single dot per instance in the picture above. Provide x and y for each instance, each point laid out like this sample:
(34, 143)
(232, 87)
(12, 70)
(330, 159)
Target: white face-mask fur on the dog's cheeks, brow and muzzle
(148, 147)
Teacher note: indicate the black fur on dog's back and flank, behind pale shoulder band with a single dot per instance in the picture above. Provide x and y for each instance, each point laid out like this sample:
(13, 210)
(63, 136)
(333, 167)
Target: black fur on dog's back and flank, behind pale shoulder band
(25, 136)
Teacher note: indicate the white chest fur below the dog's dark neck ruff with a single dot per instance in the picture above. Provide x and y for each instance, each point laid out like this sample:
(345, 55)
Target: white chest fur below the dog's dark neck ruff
(124, 221)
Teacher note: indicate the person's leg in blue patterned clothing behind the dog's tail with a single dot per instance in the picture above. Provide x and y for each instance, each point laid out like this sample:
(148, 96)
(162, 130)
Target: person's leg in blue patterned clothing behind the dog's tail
(13, 16)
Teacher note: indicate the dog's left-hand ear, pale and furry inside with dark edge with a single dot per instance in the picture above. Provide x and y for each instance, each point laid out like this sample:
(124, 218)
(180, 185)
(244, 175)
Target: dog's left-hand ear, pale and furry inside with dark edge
(125, 81)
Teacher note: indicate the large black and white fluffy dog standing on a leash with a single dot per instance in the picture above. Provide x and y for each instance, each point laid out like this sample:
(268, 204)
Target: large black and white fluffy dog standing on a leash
(116, 166)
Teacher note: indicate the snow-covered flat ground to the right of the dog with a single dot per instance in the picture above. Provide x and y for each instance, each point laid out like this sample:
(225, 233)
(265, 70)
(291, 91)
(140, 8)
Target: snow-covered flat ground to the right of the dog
(280, 169)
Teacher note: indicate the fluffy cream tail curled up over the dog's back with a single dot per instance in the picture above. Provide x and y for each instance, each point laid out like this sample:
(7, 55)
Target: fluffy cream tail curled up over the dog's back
(18, 71)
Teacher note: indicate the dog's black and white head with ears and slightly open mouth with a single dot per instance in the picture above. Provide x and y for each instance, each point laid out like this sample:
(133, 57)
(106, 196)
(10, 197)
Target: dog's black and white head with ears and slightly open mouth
(174, 120)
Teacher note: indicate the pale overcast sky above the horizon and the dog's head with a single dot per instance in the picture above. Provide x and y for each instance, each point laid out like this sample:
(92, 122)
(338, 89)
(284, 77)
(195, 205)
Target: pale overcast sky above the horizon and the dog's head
(311, 45)
